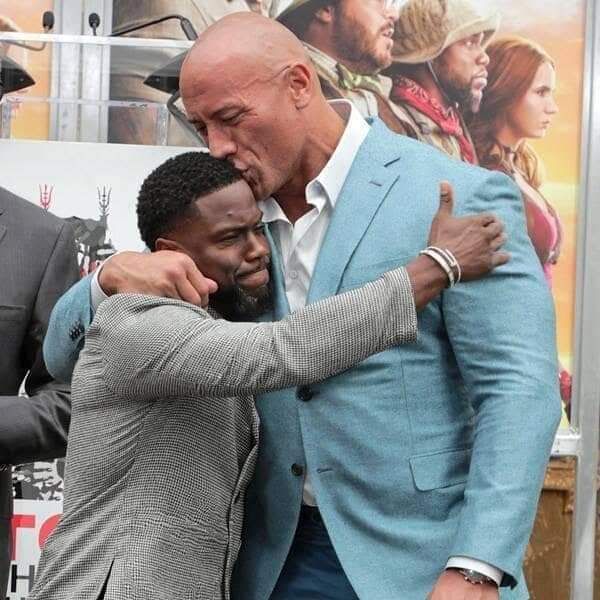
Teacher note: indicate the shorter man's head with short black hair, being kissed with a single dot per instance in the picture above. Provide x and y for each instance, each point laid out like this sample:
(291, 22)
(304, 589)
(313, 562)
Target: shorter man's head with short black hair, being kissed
(199, 205)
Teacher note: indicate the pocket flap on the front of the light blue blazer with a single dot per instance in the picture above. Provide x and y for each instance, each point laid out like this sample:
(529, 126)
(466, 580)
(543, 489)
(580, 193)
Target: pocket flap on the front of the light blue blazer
(440, 469)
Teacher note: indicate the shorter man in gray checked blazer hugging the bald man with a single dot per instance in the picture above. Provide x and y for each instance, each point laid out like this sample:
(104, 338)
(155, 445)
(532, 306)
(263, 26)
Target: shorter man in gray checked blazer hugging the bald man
(164, 431)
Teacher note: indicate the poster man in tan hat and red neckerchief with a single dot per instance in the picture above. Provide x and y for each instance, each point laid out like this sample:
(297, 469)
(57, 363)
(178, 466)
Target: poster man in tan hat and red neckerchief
(440, 69)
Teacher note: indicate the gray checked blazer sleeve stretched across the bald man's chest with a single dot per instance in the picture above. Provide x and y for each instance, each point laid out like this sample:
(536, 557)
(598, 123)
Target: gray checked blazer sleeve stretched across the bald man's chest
(155, 348)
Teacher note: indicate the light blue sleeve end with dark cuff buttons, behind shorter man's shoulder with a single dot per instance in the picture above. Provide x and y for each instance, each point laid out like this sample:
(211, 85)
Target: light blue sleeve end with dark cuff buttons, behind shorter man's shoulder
(70, 319)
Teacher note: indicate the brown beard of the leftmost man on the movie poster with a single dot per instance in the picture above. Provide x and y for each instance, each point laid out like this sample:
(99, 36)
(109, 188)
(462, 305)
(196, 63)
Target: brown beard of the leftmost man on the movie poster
(358, 47)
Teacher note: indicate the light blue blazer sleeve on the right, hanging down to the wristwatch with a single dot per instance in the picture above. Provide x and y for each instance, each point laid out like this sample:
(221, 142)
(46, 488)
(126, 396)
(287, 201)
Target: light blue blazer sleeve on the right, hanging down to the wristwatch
(502, 330)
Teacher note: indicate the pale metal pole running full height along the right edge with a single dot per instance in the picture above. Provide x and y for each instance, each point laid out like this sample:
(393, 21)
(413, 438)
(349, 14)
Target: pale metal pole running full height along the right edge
(587, 319)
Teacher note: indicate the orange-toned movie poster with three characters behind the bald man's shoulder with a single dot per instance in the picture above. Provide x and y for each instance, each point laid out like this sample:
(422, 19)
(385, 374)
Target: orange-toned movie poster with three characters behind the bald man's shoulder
(513, 104)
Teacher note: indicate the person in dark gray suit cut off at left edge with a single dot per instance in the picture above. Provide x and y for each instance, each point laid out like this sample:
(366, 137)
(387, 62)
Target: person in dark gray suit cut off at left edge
(37, 264)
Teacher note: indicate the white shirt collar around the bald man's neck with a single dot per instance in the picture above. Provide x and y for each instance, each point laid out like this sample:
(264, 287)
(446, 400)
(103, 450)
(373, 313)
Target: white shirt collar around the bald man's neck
(327, 185)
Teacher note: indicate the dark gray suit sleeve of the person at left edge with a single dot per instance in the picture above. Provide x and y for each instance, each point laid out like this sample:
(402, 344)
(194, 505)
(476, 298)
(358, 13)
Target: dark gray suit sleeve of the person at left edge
(36, 427)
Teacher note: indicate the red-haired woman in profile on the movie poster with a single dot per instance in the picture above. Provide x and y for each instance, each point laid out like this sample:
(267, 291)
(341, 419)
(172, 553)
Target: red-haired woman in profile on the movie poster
(518, 104)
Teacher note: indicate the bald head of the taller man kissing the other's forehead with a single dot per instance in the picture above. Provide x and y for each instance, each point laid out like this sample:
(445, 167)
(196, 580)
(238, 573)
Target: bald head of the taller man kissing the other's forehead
(250, 90)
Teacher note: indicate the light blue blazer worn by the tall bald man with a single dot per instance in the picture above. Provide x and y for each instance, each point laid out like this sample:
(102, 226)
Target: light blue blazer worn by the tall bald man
(424, 451)
